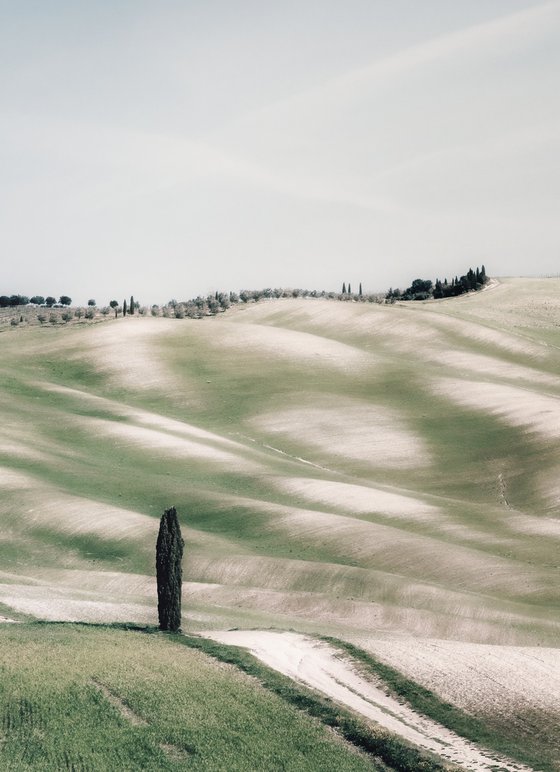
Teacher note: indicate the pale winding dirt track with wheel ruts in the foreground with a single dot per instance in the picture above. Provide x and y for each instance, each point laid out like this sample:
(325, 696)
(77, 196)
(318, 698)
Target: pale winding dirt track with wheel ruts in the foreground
(318, 665)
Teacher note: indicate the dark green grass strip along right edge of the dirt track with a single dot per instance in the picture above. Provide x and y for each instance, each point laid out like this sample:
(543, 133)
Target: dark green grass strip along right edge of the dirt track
(490, 734)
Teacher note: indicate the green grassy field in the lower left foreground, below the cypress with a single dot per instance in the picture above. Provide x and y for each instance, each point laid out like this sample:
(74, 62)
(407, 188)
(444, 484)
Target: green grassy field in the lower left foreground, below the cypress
(94, 698)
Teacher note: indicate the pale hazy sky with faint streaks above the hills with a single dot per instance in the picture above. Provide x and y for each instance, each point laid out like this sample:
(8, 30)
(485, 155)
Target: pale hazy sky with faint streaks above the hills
(172, 148)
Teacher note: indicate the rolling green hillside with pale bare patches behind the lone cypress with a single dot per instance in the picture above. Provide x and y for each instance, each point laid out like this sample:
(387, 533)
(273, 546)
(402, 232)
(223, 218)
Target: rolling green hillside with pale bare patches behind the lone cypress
(380, 473)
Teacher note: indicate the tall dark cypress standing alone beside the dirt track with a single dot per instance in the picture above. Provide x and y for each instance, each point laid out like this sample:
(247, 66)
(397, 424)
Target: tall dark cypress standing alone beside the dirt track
(169, 555)
